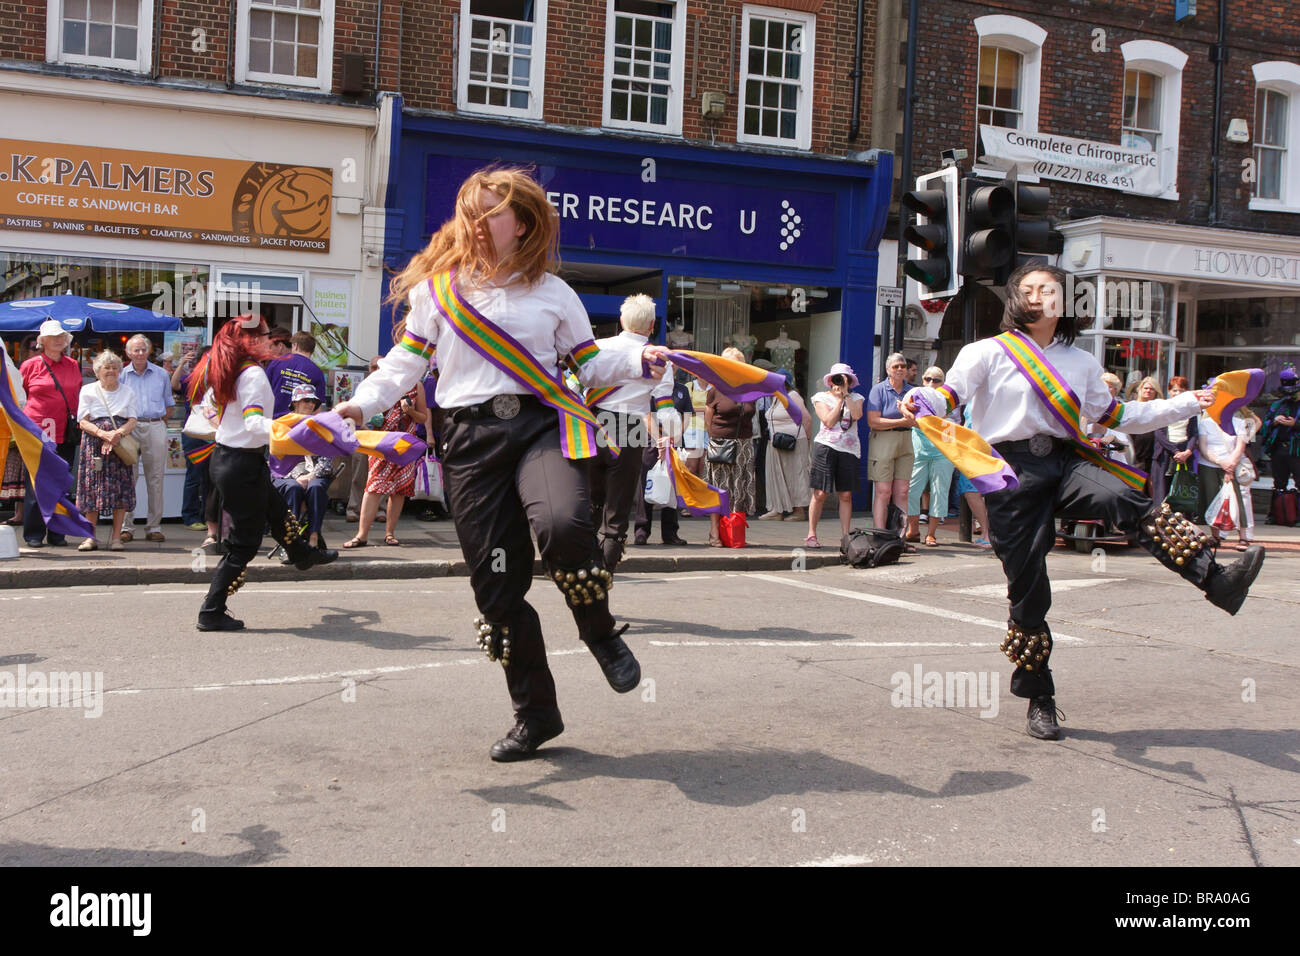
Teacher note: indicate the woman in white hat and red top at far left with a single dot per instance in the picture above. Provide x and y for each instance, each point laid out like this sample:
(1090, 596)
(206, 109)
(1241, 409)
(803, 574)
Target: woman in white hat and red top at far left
(54, 383)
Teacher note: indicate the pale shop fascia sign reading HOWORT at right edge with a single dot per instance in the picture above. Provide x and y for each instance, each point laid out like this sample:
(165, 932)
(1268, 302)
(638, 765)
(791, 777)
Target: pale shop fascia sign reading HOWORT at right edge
(1194, 261)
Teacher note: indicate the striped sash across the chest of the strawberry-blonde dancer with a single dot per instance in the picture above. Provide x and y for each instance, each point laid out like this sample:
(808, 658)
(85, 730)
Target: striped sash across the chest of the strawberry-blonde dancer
(579, 429)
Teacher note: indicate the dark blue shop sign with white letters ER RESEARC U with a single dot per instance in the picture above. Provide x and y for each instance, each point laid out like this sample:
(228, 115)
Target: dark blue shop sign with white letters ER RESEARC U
(606, 211)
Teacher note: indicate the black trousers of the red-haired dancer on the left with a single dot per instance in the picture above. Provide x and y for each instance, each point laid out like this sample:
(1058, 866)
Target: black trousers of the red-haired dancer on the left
(248, 495)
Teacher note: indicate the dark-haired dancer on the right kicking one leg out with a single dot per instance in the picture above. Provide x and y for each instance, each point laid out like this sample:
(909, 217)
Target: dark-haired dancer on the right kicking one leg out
(1028, 390)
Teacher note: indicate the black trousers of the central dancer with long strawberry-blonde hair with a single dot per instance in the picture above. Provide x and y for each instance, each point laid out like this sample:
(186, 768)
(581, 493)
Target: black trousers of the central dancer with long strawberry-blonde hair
(505, 479)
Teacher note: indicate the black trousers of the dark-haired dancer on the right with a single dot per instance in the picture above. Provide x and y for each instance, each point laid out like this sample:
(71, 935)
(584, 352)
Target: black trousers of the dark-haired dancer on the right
(1022, 530)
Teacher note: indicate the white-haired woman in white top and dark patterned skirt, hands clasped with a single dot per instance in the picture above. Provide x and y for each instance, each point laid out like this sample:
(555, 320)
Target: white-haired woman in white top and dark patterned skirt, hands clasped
(106, 413)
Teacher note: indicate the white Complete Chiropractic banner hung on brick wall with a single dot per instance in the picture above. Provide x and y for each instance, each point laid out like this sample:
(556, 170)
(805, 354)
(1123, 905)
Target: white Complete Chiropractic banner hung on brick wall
(1077, 161)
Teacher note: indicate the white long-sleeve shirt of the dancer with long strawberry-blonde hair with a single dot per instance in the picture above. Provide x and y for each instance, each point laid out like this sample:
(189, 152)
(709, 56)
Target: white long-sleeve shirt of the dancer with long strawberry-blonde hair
(548, 319)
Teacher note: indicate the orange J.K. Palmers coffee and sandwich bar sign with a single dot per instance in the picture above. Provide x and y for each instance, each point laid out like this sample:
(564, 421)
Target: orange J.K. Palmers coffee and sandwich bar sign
(131, 194)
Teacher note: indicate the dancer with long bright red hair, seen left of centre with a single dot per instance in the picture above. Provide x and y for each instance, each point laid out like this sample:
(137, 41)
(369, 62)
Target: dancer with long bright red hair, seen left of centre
(232, 384)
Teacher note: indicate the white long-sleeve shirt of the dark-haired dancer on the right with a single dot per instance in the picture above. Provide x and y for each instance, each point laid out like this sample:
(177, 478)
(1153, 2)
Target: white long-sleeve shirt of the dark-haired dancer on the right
(1006, 408)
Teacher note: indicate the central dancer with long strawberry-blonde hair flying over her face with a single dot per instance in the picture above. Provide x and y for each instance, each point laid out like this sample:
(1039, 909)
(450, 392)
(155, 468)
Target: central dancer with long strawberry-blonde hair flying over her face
(484, 293)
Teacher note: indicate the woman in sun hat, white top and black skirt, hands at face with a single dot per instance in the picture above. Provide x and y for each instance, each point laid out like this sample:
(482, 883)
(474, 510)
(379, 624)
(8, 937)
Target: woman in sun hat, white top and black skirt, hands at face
(837, 449)
